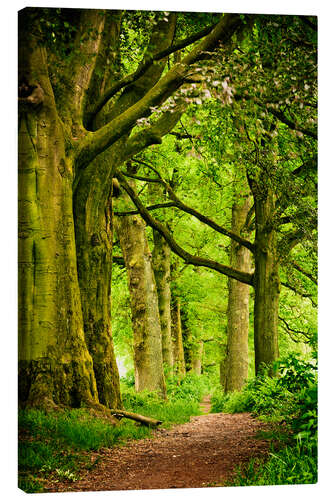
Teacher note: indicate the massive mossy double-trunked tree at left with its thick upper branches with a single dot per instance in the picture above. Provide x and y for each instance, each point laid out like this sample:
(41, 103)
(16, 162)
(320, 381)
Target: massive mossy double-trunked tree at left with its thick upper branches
(77, 119)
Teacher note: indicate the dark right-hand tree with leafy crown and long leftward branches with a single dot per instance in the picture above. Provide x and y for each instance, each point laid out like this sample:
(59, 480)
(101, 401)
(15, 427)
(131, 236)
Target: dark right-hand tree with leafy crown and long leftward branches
(268, 126)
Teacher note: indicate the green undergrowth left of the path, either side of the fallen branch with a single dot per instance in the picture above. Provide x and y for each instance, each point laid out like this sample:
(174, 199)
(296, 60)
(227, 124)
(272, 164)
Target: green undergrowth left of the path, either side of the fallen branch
(54, 446)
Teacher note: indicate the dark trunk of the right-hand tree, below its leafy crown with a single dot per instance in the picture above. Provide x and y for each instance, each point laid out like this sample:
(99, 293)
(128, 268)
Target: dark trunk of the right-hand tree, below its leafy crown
(266, 280)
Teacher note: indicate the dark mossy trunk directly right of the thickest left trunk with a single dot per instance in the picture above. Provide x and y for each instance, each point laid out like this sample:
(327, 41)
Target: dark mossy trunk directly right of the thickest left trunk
(94, 237)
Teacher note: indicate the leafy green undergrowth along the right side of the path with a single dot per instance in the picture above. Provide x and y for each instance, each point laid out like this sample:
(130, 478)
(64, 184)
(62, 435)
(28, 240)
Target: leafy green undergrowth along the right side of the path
(290, 401)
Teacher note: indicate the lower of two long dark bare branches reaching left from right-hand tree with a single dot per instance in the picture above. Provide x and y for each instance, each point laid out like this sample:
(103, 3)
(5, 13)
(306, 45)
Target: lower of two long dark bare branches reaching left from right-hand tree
(187, 257)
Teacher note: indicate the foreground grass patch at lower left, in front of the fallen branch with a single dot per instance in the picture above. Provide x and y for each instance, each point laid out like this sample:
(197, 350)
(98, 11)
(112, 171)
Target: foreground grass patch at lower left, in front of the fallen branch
(55, 445)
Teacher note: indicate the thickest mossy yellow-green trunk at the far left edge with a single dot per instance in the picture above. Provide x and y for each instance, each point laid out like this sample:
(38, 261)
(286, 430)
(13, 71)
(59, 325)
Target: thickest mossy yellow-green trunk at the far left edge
(54, 363)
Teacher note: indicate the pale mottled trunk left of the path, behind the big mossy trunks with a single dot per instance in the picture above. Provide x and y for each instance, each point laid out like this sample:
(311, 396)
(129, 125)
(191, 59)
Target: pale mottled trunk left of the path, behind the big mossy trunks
(148, 361)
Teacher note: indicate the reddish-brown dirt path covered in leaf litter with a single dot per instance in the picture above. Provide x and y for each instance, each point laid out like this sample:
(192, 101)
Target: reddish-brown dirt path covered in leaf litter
(203, 452)
